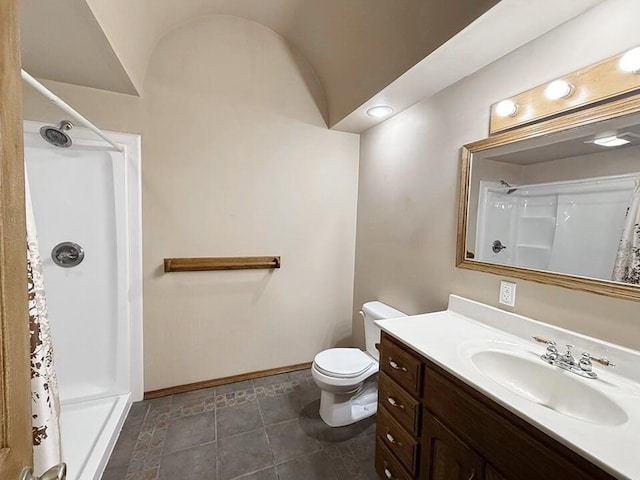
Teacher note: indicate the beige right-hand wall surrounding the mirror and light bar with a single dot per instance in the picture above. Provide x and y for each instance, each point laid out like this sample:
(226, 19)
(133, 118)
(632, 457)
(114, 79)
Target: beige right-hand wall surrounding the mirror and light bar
(409, 169)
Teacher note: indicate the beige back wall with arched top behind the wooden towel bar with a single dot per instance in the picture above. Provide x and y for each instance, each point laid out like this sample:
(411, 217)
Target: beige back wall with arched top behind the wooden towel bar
(237, 160)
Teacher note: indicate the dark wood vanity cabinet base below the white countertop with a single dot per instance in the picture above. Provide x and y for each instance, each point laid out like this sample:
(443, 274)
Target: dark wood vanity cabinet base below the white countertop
(432, 426)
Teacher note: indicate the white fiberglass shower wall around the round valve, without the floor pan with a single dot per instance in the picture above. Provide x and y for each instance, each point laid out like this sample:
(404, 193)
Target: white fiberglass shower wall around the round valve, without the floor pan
(79, 195)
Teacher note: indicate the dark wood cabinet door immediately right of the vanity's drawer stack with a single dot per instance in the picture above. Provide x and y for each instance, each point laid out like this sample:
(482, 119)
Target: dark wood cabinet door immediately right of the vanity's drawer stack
(445, 456)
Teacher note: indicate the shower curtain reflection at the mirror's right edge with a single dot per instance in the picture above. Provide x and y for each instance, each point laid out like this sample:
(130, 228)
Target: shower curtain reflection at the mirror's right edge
(627, 266)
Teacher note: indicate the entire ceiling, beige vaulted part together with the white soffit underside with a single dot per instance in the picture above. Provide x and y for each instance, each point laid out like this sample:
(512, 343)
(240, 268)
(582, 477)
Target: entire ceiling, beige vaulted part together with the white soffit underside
(363, 51)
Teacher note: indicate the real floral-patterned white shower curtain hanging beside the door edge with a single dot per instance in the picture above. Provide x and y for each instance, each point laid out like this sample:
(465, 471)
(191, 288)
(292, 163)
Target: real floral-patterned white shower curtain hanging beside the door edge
(45, 404)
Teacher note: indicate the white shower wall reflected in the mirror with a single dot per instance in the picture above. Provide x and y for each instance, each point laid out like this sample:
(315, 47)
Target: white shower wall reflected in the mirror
(566, 227)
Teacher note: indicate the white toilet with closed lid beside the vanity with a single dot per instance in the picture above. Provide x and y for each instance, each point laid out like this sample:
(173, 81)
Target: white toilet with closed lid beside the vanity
(347, 376)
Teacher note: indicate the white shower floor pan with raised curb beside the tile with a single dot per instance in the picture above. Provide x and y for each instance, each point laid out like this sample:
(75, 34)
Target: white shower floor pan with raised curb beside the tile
(89, 432)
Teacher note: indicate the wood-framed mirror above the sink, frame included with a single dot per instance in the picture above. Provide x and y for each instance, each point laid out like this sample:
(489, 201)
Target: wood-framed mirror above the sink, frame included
(548, 202)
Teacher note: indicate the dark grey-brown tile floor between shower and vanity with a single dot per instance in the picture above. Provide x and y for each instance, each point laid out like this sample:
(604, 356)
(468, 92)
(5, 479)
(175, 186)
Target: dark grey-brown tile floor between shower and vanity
(264, 429)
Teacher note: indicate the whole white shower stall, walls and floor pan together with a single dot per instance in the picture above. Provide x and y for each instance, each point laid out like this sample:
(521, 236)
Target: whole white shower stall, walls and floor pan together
(86, 203)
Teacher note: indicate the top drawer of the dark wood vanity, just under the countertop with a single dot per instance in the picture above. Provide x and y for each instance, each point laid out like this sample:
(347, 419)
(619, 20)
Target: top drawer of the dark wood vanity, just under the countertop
(401, 365)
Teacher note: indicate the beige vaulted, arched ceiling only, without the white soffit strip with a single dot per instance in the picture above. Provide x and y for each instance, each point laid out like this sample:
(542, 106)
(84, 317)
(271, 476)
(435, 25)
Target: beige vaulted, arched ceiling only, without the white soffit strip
(356, 47)
